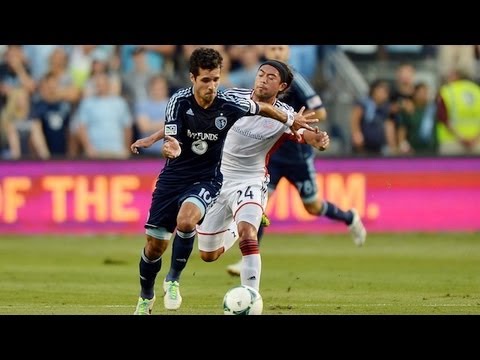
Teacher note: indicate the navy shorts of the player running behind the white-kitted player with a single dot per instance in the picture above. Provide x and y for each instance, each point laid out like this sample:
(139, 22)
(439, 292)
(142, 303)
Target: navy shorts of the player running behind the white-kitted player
(302, 175)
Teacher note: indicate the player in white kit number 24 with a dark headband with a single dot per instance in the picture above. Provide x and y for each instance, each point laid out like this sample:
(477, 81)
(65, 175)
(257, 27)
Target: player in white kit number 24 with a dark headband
(243, 197)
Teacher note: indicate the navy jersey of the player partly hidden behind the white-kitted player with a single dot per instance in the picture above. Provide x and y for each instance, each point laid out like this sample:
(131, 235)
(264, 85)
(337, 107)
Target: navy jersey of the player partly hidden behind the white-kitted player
(300, 94)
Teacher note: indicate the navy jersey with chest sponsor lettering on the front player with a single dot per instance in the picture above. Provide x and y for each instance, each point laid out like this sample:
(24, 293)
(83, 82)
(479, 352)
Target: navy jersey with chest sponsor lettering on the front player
(201, 133)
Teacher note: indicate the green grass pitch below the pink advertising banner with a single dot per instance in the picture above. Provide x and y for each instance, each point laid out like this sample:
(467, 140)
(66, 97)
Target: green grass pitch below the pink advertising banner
(302, 274)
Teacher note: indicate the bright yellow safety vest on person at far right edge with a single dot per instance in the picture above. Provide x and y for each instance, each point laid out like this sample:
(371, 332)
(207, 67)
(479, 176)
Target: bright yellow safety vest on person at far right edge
(462, 100)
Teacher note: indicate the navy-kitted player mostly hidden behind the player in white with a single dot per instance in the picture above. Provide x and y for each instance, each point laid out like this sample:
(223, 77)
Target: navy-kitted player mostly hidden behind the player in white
(295, 161)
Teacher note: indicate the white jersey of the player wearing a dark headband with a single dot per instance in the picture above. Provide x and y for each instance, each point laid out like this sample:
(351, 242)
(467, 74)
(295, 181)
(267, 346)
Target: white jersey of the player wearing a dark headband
(250, 140)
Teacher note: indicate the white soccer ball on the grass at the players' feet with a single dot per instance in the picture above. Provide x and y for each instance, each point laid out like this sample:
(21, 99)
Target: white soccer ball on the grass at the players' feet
(242, 300)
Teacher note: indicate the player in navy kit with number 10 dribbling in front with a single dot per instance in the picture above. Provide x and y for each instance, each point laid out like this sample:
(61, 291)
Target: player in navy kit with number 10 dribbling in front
(198, 117)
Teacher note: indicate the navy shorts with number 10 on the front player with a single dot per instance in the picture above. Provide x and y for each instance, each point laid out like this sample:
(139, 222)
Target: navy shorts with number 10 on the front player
(167, 200)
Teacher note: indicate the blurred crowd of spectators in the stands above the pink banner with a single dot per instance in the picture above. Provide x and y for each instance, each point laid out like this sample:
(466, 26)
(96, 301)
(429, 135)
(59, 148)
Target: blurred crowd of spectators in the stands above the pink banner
(93, 101)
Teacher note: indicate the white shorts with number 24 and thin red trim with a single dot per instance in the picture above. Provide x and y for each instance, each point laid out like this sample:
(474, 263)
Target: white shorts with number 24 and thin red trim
(238, 201)
